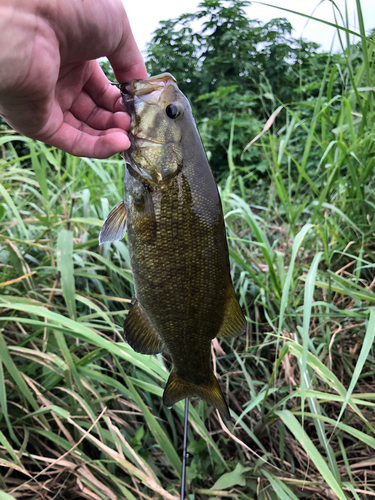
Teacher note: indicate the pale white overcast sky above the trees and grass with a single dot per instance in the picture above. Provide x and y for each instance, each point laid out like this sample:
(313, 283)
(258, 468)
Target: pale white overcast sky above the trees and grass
(145, 15)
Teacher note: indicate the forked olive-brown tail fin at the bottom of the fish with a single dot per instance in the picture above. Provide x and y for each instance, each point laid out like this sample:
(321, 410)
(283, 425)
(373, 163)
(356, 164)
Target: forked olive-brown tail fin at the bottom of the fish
(177, 389)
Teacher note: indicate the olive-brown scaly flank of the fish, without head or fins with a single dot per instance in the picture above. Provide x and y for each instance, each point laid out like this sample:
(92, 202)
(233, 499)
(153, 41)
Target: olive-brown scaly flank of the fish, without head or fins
(188, 274)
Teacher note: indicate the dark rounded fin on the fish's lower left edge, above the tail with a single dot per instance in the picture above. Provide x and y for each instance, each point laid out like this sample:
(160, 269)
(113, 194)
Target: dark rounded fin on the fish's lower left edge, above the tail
(139, 332)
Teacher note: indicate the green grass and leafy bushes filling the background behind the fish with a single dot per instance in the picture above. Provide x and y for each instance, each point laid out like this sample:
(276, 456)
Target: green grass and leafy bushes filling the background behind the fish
(81, 413)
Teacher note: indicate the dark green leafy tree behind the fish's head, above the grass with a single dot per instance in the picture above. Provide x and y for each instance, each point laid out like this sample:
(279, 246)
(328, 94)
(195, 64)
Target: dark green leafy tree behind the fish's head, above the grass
(231, 66)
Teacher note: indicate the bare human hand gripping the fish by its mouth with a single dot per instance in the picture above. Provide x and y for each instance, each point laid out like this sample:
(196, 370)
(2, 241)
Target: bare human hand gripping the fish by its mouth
(51, 87)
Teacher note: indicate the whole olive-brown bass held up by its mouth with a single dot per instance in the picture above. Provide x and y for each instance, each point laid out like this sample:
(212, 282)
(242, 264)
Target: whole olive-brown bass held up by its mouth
(172, 213)
